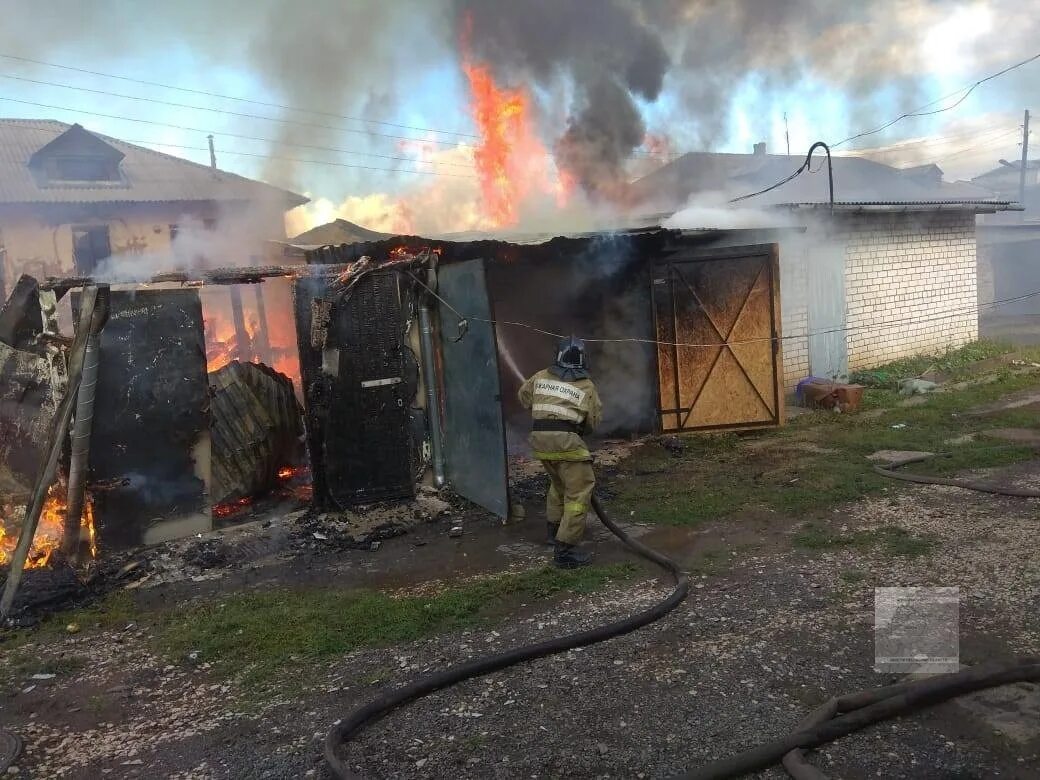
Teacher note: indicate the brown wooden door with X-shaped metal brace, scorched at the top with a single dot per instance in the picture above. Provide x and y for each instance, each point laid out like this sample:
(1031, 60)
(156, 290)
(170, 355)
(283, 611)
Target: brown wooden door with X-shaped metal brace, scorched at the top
(718, 323)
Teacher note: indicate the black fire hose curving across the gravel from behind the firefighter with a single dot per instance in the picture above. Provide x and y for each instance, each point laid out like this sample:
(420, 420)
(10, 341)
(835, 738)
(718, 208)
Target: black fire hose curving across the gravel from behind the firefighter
(391, 700)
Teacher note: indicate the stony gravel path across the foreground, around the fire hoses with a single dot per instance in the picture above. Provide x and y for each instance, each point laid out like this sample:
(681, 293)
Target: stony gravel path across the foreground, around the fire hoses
(743, 661)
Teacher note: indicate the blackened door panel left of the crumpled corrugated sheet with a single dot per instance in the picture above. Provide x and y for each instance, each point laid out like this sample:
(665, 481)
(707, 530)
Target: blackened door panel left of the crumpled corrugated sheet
(150, 435)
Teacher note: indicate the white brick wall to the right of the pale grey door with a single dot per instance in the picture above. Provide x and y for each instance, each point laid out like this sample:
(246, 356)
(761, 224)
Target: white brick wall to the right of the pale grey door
(911, 284)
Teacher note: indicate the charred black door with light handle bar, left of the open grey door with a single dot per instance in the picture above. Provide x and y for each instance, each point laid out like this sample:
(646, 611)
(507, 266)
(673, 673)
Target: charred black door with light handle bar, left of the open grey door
(359, 381)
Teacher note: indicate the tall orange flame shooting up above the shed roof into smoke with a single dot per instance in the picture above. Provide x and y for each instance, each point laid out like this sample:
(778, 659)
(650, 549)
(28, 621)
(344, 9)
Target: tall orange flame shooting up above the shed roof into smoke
(512, 163)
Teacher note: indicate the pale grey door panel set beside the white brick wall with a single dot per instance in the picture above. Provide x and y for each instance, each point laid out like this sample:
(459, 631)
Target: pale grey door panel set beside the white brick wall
(828, 351)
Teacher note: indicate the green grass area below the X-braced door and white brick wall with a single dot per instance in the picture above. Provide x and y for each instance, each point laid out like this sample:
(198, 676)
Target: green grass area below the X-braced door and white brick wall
(820, 460)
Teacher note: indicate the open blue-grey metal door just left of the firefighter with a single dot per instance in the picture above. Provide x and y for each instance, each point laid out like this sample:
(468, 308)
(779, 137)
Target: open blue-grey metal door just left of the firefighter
(475, 431)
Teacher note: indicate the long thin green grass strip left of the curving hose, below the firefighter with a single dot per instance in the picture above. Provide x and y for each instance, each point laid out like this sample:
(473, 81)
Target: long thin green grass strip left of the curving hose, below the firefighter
(265, 634)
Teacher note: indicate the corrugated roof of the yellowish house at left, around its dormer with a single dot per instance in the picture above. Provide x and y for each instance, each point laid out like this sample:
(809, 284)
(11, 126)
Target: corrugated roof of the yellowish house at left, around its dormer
(148, 176)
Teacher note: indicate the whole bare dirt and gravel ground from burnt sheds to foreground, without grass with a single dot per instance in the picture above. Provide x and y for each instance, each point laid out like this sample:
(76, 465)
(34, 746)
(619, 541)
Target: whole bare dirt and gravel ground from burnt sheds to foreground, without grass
(782, 617)
